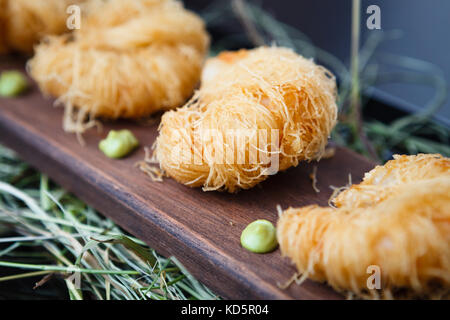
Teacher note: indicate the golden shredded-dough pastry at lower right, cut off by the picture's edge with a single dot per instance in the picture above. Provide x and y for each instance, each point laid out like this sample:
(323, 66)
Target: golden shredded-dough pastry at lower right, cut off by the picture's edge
(398, 219)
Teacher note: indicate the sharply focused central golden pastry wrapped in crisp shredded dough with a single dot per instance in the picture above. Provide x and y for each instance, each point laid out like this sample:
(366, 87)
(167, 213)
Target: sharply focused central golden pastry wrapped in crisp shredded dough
(268, 89)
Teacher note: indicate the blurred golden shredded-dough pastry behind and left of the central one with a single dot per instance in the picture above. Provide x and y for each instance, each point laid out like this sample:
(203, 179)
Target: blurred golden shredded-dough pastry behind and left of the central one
(128, 60)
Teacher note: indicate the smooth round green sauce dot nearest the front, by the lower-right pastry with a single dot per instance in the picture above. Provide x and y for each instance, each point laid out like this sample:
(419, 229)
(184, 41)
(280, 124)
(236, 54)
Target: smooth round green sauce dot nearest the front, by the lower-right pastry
(259, 237)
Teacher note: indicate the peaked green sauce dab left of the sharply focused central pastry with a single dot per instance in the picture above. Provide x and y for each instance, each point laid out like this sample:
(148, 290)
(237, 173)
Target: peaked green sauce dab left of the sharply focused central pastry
(118, 143)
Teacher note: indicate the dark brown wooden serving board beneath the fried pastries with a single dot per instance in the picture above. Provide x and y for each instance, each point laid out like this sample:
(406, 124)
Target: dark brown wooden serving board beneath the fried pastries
(201, 229)
